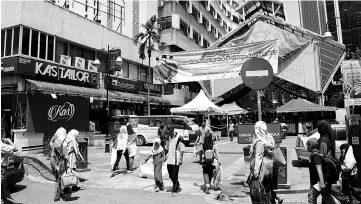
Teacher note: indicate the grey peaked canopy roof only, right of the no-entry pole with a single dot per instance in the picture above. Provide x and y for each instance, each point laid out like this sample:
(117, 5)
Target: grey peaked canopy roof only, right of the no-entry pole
(302, 105)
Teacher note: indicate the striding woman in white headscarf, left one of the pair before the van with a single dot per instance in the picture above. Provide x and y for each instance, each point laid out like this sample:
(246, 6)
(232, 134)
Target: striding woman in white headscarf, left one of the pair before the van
(120, 144)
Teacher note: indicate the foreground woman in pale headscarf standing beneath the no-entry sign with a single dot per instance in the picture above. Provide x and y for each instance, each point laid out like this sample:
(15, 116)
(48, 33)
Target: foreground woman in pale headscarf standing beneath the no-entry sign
(261, 168)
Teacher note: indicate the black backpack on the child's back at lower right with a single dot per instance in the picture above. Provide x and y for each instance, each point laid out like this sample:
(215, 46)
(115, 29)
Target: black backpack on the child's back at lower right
(331, 168)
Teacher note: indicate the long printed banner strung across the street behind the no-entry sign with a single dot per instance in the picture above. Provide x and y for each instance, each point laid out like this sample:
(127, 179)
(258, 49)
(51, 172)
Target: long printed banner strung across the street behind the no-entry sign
(217, 63)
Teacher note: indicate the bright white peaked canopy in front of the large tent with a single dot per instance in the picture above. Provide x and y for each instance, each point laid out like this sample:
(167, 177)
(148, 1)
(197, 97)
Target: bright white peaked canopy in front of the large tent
(199, 105)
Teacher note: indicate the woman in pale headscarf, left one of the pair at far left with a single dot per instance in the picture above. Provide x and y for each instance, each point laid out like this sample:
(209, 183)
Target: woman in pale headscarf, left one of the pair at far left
(58, 160)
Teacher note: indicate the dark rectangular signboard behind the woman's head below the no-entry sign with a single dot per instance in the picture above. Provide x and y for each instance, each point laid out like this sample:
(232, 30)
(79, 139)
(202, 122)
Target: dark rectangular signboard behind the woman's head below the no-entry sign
(246, 132)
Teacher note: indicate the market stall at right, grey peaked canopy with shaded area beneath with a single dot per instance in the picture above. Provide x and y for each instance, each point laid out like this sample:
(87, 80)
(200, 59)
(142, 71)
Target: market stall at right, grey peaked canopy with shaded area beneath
(304, 111)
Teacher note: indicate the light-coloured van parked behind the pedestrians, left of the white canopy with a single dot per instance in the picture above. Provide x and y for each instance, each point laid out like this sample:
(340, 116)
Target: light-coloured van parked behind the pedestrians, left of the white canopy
(146, 127)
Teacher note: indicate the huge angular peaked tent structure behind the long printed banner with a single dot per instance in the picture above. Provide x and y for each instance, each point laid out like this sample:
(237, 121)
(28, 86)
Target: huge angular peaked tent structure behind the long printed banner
(306, 62)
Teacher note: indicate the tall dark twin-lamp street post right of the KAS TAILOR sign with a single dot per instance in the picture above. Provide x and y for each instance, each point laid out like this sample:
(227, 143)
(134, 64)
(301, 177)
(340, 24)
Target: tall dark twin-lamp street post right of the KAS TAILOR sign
(109, 56)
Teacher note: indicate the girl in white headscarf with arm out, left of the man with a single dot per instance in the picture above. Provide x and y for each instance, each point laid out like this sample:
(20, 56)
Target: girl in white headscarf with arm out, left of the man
(158, 158)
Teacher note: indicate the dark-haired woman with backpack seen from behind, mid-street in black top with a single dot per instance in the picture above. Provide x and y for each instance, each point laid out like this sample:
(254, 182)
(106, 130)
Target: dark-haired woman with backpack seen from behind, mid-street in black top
(209, 165)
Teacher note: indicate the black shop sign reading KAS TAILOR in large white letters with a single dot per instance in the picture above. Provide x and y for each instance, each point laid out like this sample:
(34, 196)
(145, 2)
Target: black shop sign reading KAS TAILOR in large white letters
(51, 71)
